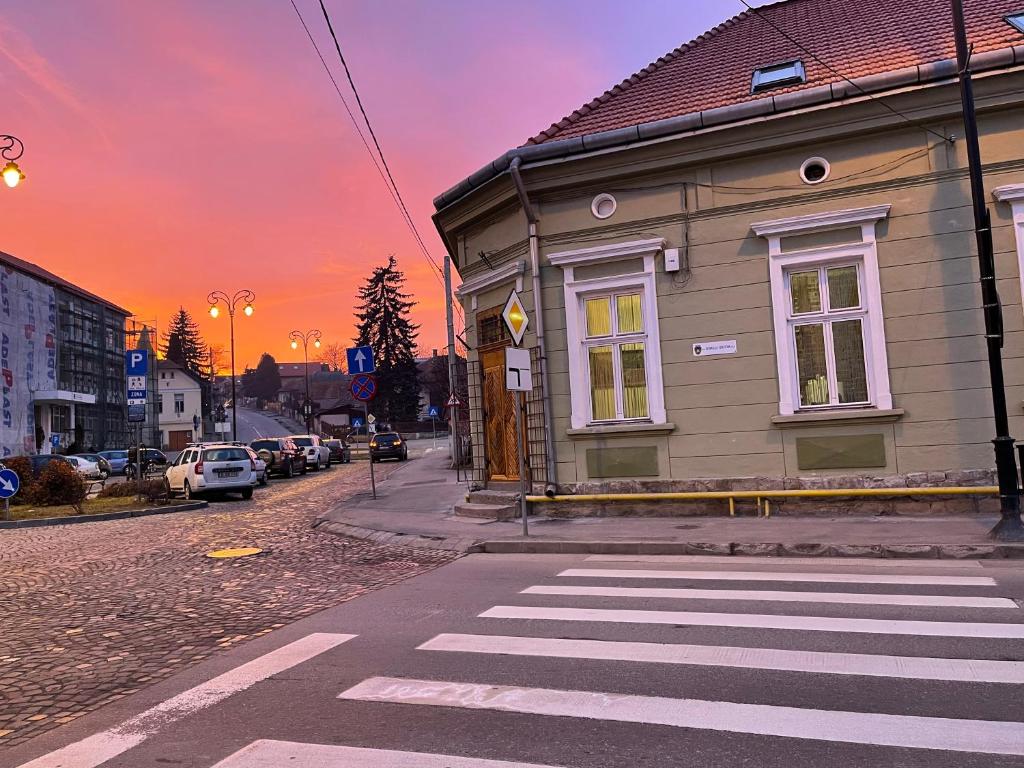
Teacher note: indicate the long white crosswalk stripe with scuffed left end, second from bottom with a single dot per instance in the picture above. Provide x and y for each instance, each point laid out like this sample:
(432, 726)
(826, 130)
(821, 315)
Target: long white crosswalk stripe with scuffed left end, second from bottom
(820, 726)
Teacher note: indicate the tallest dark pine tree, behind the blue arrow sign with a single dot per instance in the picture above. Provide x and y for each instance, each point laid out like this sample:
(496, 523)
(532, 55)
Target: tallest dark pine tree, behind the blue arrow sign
(383, 324)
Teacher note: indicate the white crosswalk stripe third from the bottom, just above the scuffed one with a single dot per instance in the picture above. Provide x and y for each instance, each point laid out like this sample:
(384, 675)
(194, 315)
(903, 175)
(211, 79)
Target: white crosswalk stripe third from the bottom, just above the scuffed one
(870, 665)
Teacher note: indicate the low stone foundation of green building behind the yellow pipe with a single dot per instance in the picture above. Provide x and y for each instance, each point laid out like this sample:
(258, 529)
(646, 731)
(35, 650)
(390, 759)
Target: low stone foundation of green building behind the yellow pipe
(922, 505)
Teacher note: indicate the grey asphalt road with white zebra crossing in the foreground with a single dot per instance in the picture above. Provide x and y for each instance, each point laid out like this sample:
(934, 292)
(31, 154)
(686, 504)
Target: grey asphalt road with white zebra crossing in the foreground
(558, 661)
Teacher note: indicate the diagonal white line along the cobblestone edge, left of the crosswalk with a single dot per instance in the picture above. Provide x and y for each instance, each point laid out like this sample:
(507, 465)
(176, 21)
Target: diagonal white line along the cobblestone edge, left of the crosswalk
(100, 748)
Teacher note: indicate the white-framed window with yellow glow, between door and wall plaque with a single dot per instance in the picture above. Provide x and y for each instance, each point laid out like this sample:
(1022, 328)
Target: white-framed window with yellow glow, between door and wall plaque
(613, 335)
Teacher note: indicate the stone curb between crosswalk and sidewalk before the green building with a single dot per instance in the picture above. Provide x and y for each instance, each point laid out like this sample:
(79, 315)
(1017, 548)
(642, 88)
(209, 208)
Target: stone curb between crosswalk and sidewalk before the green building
(808, 550)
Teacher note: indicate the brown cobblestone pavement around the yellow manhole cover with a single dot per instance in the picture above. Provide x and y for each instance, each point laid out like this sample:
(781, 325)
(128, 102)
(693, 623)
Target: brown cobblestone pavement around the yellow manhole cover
(91, 614)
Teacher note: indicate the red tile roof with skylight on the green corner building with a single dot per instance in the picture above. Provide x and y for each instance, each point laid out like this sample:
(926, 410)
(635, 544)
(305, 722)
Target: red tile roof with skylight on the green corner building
(856, 38)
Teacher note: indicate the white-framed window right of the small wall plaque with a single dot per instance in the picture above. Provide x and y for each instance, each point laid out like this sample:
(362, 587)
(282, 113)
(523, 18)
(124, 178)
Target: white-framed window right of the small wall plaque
(827, 311)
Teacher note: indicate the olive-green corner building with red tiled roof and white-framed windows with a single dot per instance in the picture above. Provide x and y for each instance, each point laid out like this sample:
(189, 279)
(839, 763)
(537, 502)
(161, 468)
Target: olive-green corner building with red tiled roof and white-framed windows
(755, 273)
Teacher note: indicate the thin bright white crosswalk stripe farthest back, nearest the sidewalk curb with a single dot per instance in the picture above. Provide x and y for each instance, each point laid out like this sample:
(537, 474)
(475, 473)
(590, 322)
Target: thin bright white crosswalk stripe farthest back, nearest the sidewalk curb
(767, 576)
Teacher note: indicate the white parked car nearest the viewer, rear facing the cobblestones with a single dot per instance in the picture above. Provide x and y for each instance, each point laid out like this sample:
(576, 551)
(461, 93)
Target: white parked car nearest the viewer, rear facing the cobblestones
(211, 468)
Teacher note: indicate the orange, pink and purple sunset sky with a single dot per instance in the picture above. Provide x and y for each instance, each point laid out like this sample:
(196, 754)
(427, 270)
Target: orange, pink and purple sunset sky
(178, 147)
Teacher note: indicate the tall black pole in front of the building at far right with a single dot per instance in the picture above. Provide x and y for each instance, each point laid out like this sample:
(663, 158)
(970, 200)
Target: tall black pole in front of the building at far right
(1009, 528)
